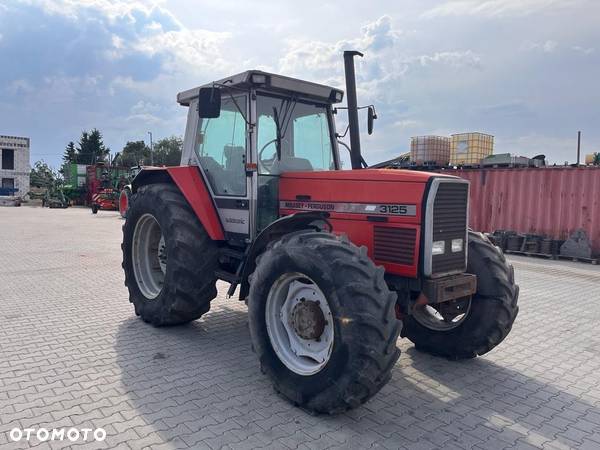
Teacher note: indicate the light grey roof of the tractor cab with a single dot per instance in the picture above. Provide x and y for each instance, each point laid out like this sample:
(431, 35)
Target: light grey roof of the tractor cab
(269, 82)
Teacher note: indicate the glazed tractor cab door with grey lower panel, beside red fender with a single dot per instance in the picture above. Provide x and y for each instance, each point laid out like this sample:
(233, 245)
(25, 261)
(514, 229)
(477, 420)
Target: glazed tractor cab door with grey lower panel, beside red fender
(221, 147)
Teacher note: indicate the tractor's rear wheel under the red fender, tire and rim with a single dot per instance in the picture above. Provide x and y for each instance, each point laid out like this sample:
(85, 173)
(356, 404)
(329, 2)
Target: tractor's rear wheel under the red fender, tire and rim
(168, 257)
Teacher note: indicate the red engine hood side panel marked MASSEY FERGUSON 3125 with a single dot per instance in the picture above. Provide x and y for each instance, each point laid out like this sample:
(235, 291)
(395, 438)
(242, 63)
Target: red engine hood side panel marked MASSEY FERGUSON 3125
(384, 216)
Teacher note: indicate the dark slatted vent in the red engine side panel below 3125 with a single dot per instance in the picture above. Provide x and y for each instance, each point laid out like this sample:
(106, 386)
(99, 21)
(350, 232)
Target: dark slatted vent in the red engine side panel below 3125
(394, 245)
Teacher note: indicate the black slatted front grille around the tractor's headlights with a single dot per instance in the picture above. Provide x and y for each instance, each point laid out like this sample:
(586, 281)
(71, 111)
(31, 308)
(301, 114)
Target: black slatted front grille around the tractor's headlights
(450, 222)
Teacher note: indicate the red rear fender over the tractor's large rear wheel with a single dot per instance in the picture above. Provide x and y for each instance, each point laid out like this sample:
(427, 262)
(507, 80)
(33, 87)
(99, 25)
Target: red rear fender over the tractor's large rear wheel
(191, 185)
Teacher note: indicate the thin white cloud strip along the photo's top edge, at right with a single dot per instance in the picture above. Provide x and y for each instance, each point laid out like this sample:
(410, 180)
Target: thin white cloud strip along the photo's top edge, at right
(497, 8)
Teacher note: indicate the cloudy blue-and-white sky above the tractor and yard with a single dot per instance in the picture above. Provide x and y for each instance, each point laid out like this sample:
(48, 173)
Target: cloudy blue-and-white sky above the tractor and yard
(525, 71)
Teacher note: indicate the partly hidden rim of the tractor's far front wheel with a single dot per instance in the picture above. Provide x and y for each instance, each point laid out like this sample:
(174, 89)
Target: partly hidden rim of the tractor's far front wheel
(443, 316)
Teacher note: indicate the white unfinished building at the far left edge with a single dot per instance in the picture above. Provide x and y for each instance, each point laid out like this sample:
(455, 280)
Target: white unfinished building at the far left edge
(14, 165)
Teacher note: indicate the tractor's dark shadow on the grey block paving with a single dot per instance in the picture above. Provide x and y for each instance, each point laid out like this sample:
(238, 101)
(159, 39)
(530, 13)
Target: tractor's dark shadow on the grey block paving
(201, 384)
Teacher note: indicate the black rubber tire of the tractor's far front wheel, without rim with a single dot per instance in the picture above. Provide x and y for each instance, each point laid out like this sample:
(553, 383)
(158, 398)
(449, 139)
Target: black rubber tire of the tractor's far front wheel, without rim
(491, 313)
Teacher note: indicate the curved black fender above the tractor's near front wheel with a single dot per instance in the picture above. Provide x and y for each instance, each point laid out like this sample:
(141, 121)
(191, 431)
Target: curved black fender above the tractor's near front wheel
(282, 226)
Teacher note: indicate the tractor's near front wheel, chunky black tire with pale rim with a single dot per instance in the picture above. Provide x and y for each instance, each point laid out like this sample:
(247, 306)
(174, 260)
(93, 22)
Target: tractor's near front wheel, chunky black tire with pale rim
(361, 332)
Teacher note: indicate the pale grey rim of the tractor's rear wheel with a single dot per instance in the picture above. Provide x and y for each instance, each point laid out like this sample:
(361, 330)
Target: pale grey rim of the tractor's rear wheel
(149, 256)
